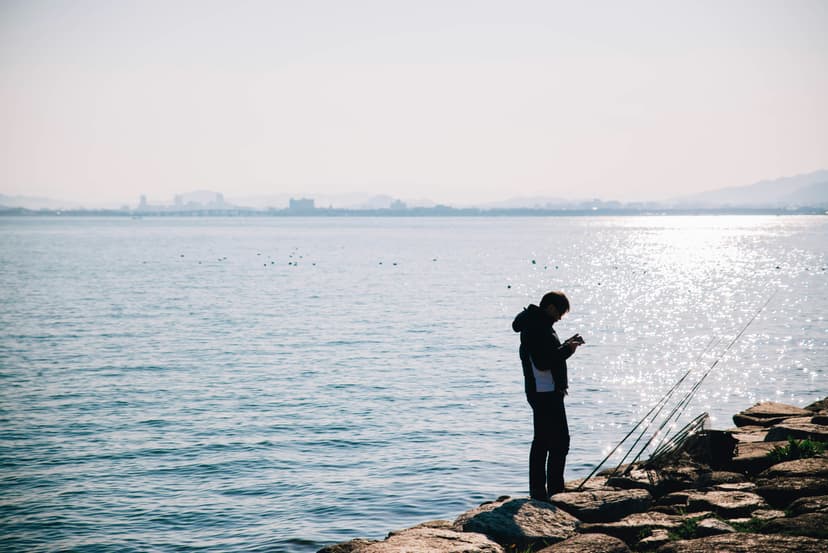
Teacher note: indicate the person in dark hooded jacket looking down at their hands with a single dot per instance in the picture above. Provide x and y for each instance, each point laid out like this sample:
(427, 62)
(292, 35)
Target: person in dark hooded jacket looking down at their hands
(543, 357)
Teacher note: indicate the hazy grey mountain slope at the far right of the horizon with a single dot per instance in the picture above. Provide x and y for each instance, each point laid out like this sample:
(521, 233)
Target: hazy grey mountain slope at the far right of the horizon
(809, 190)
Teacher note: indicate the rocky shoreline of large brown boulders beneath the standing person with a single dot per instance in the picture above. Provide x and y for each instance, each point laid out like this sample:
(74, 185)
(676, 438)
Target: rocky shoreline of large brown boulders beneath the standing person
(724, 491)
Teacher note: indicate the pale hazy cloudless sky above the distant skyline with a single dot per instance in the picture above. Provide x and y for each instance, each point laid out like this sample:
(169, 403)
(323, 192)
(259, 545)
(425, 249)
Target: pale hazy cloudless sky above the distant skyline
(460, 102)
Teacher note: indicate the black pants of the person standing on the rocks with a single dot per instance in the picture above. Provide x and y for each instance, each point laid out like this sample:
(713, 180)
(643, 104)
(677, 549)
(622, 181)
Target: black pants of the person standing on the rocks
(550, 444)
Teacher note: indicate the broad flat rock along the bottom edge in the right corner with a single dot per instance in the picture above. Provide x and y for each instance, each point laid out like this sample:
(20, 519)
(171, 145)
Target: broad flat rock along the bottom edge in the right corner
(746, 543)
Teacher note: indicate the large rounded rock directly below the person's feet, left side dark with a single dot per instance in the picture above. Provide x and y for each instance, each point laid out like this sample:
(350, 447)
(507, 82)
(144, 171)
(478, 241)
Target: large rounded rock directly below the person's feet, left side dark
(520, 522)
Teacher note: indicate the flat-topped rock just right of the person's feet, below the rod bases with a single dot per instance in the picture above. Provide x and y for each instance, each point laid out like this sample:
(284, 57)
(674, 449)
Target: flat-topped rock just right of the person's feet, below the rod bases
(602, 505)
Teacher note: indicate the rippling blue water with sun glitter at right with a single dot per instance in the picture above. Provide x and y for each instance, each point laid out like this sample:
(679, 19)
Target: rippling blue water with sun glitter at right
(269, 384)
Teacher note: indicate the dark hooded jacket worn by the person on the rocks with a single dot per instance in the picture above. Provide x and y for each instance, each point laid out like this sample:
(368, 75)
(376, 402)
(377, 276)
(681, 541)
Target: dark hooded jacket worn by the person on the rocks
(539, 343)
